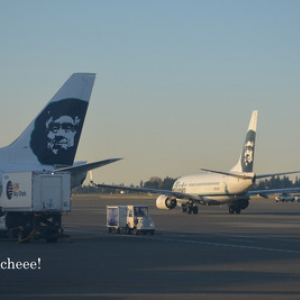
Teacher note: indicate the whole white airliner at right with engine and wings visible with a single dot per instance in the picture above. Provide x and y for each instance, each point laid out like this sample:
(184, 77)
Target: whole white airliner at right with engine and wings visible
(215, 187)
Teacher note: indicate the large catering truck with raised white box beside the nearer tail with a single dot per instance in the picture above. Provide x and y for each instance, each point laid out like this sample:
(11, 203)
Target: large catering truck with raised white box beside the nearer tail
(32, 203)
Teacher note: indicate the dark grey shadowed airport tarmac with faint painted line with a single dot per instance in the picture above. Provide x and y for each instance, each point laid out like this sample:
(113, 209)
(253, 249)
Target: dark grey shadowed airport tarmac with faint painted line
(212, 255)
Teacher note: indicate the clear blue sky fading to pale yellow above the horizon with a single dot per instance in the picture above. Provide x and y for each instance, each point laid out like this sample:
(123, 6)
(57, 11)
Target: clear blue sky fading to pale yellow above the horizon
(176, 80)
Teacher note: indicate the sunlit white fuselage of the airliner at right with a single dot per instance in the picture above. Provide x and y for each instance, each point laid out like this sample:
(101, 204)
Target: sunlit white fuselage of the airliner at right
(216, 187)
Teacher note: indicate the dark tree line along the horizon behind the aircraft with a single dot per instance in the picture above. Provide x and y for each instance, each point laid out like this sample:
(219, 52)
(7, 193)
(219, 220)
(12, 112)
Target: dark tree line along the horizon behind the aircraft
(275, 182)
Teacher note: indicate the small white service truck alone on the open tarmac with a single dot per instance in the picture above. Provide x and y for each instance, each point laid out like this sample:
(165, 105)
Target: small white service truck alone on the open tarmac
(130, 218)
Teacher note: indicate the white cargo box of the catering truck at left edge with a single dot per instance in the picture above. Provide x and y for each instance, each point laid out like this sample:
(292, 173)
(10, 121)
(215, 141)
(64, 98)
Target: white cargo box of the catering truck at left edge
(36, 192)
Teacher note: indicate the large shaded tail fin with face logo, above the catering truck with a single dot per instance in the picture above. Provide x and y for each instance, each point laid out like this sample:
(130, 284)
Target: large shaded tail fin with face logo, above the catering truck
(53, 136)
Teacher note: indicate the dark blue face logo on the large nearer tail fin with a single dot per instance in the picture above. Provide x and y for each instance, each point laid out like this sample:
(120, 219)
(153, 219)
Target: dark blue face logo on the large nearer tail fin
(57, 131)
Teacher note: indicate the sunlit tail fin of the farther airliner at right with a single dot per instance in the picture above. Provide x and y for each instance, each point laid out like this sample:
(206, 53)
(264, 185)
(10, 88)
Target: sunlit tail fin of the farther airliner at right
(246, 161)
